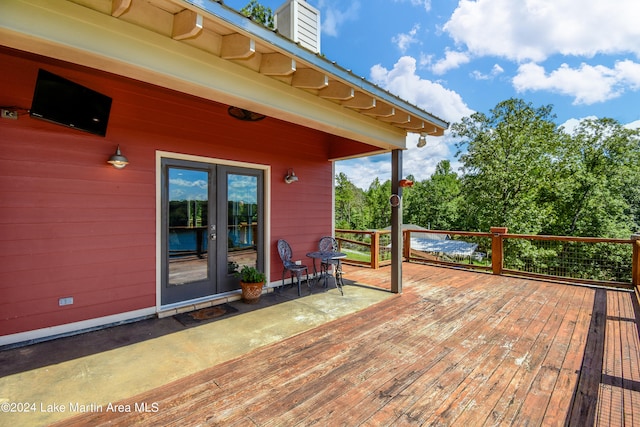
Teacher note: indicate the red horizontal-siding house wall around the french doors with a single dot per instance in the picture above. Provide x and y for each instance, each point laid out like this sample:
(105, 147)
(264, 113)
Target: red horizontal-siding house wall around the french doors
(71, 225)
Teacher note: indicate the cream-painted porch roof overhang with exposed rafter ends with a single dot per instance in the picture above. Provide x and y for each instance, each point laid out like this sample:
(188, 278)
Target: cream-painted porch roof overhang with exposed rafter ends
(209, 50)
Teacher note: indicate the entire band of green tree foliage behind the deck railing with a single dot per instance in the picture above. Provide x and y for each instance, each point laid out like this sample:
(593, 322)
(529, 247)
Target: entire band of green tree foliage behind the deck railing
(521, 171)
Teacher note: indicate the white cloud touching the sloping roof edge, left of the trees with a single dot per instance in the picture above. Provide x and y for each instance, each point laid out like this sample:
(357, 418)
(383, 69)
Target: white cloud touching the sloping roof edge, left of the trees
(403, 81)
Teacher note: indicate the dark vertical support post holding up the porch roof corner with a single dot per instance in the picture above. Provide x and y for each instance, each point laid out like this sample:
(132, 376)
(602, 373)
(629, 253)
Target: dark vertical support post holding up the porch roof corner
(396, 223)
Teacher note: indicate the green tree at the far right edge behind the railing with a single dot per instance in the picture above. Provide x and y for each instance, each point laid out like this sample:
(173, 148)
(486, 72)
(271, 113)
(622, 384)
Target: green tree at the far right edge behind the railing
(598, 184)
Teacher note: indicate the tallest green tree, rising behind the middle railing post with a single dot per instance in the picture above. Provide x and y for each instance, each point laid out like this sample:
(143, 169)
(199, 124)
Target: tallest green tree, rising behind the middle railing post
(508, 166)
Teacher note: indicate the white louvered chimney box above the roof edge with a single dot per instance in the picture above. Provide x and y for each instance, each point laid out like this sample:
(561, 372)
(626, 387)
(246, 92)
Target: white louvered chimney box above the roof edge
(300, 22)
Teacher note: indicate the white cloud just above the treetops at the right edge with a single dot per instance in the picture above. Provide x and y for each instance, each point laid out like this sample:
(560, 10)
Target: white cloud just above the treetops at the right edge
(587, 84)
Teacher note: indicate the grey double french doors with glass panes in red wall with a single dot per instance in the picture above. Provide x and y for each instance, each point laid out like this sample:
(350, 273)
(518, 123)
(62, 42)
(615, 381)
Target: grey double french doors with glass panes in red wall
(212, 225)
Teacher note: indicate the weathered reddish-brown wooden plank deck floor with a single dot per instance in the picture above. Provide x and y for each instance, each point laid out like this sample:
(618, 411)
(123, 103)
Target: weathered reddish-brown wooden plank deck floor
(456, 348)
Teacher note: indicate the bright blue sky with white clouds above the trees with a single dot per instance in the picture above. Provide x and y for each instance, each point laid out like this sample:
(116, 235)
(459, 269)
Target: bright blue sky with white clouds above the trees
(454, 57)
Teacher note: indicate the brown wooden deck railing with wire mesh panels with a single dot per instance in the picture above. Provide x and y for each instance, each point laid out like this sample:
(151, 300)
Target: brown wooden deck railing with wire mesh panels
(589, 260)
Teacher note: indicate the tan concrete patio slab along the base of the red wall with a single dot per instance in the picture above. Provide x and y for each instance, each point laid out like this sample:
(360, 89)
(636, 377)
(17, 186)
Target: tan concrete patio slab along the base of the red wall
(87, 379)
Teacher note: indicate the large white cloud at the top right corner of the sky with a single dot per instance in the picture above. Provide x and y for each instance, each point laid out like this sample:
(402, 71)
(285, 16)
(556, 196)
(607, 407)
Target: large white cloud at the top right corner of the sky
(533, 30)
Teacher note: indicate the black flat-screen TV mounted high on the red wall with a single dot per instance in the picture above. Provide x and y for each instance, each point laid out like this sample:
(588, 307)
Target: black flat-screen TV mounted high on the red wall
(64, 102)
